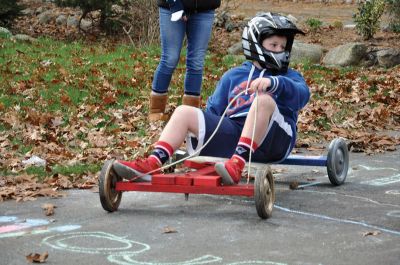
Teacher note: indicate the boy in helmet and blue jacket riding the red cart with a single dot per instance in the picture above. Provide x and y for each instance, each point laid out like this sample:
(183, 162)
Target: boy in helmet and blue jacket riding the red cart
(281, 92)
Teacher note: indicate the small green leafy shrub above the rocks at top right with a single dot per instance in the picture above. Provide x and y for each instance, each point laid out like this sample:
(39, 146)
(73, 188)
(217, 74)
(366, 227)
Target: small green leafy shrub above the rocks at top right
(368, 17)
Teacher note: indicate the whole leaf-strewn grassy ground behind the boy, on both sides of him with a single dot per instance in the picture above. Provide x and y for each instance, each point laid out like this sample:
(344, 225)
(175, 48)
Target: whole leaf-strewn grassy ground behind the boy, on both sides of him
(67, 107)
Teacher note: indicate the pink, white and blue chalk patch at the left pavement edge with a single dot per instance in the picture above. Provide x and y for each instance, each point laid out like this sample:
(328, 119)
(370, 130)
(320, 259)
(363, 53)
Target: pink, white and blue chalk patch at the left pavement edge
(21, 227)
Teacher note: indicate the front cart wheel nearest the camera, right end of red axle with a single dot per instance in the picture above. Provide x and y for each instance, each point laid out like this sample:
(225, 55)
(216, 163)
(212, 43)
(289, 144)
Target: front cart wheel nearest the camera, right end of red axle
(264, 192)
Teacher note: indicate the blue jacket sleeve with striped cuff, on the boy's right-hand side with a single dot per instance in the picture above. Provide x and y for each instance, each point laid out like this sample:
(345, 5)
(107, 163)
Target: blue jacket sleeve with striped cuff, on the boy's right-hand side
(291, 89)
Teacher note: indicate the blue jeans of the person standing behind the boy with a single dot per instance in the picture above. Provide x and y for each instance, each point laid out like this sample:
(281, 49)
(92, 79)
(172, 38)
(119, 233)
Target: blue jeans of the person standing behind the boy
(198, 31)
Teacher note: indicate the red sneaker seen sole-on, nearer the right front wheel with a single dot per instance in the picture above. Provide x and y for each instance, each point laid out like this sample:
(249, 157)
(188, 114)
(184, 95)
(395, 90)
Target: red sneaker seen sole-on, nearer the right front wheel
(230, 171)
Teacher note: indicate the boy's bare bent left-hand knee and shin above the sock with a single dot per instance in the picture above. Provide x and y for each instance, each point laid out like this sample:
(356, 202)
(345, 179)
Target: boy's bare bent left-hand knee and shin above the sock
(183, 120)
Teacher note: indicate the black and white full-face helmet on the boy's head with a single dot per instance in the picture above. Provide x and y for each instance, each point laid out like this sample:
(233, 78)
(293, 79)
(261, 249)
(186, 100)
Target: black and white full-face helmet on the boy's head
(264, 25)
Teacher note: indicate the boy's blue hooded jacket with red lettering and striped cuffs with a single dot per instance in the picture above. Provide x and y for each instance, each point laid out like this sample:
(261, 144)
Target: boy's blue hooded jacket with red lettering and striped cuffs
(289, 91)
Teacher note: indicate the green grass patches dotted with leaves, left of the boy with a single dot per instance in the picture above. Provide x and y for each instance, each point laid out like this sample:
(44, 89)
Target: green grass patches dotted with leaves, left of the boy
(55, 78)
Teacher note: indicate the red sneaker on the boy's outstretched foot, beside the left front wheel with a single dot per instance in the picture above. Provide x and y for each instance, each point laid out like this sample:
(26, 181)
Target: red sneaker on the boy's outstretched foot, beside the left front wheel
(137, 168)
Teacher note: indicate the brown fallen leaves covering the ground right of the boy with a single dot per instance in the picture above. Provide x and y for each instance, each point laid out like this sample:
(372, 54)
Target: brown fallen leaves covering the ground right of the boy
(361, 106)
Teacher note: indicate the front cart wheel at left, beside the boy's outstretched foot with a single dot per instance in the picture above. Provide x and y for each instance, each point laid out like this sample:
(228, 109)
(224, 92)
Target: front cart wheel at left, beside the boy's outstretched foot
(109, 198)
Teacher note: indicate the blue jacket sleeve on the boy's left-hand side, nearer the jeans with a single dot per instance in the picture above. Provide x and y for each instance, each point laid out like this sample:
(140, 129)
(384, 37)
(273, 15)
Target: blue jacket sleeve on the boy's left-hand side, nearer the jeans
(218, 101)
